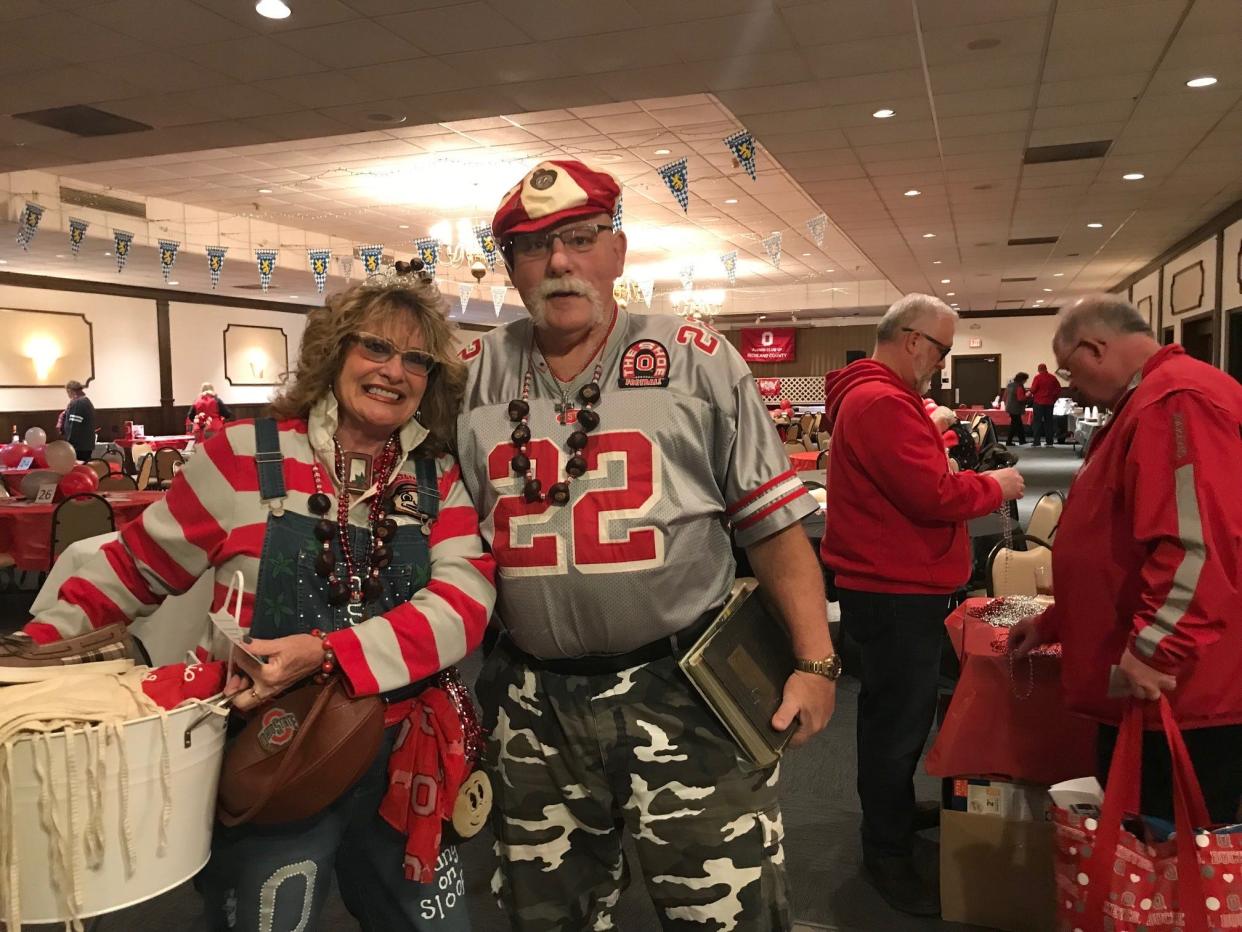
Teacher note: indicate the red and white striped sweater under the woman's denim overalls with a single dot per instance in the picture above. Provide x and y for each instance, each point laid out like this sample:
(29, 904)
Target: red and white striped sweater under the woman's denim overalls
(213, 519)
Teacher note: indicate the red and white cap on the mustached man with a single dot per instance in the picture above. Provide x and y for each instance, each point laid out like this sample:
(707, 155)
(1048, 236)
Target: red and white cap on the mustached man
(553, 193)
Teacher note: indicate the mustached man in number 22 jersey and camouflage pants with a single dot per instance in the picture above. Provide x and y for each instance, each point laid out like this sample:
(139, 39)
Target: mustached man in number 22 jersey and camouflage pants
(610, 458)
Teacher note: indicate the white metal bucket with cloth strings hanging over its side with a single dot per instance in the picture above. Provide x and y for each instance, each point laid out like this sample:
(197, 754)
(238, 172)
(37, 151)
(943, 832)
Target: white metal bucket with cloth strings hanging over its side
(194, 775)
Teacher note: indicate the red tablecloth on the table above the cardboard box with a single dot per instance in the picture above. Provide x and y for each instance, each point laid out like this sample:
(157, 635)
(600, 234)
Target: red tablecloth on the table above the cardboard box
(989, 730)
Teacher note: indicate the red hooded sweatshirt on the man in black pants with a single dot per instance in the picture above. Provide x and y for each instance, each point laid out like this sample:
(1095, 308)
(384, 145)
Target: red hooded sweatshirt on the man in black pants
(896, 513)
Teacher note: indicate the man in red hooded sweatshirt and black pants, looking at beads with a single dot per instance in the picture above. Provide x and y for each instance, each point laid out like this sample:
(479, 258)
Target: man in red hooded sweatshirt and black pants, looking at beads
(897, 542)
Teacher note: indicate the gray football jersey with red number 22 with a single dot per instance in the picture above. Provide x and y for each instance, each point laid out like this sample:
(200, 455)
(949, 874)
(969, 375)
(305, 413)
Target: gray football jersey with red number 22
(685, 455)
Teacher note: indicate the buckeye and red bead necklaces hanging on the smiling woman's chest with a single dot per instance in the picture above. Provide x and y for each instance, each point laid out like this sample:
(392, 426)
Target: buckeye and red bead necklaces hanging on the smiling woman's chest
(352, 586)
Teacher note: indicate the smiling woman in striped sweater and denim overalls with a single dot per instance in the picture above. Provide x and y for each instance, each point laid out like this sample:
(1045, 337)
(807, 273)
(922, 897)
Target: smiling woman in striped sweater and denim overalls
(371, 406)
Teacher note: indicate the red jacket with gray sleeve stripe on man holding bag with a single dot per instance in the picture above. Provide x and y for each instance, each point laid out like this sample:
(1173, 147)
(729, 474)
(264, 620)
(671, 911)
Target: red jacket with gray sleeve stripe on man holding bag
(1149, 549)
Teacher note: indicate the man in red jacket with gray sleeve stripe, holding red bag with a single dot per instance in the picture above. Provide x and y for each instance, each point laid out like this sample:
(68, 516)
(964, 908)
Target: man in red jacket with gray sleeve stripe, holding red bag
(1148, 552)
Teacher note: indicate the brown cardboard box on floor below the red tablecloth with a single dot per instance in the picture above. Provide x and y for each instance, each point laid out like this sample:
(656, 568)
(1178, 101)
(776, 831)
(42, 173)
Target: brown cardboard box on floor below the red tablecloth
(998, 873)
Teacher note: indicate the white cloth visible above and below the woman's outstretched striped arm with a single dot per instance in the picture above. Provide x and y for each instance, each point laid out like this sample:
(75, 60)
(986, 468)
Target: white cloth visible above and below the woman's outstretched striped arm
(177, 627)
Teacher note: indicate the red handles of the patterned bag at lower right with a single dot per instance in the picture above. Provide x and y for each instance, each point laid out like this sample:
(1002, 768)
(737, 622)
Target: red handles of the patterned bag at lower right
(1123, 796)
